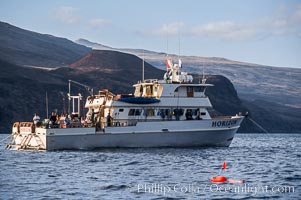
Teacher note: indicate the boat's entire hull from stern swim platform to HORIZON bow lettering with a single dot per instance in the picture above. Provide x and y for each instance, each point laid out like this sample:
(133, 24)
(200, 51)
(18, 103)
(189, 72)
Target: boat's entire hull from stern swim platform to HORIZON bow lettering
(188, 133)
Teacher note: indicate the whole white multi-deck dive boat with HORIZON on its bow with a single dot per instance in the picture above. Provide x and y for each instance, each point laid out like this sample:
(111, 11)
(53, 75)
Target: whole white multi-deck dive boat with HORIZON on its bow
(161, 113)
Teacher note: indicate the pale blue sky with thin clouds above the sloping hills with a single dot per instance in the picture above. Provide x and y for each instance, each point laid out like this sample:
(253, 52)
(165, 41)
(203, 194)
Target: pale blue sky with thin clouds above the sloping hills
(266, 32)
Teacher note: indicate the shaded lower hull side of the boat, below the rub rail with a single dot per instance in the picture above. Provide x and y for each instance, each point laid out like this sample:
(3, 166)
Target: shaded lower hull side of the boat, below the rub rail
(218, 138)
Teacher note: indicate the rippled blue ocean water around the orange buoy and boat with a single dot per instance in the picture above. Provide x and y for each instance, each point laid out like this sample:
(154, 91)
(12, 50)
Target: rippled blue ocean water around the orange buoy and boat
(270, 164)
